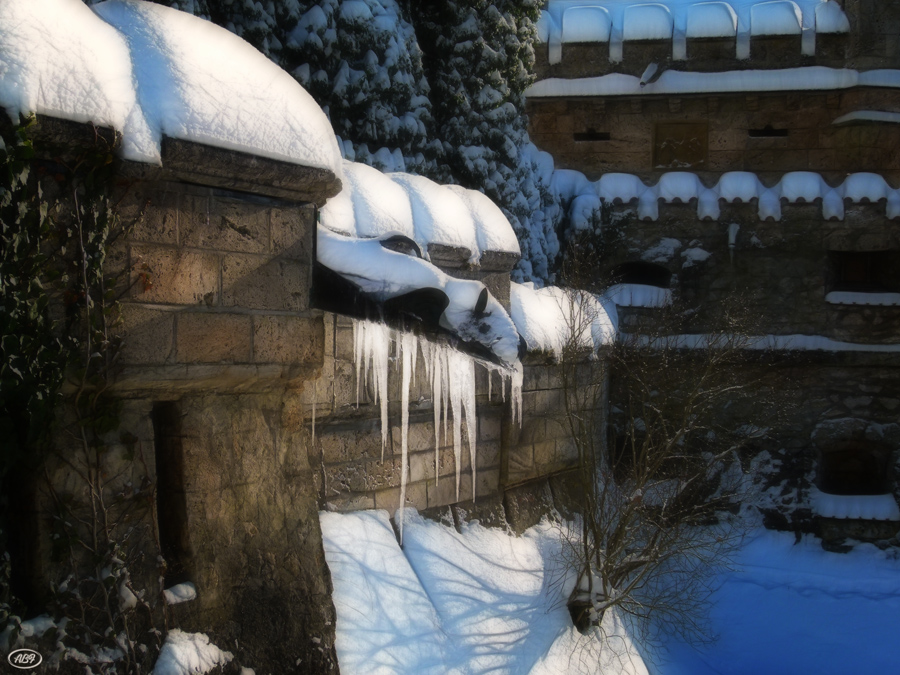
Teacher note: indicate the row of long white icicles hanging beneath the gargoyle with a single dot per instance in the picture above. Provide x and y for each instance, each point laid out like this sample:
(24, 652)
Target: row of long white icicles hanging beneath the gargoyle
(452, 377)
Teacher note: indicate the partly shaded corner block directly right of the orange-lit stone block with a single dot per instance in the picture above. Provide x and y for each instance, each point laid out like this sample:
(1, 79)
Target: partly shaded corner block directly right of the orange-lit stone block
(261, 282)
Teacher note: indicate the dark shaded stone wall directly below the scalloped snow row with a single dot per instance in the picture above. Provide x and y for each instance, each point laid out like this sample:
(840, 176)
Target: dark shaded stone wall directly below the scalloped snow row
(781, 271)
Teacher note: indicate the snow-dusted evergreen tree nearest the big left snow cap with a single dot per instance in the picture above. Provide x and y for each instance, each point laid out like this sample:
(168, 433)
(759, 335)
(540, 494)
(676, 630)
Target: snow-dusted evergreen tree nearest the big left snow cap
(361, 61)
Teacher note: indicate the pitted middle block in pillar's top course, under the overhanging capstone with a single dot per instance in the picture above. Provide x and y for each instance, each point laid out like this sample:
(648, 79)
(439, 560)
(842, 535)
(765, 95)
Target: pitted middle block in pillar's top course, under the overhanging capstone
(228, 225)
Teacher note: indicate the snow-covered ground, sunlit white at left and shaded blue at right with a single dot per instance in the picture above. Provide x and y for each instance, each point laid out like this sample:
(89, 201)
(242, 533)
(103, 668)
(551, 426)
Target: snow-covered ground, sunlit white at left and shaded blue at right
(486, 601)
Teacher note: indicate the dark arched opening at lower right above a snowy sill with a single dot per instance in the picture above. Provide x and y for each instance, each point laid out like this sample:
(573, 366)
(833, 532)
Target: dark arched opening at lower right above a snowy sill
(854, 469)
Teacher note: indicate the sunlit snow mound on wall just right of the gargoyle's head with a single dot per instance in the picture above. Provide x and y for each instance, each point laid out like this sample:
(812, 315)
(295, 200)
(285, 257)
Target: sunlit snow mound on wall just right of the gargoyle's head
(551, 318)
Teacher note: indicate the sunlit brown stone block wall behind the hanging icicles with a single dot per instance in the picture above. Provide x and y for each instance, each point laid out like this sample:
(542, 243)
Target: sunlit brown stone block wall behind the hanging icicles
(348, 436)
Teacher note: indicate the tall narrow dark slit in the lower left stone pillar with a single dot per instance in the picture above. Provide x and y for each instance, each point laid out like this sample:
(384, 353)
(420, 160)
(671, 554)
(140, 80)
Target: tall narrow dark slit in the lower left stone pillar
(171, 504)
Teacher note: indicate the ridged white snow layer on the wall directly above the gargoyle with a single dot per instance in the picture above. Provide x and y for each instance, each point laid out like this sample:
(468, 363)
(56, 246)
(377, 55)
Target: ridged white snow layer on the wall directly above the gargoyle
(374, 204)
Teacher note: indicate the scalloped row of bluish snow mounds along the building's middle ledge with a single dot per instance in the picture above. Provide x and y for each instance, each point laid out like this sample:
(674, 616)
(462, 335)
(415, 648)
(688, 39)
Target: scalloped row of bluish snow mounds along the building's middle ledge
(734, 186)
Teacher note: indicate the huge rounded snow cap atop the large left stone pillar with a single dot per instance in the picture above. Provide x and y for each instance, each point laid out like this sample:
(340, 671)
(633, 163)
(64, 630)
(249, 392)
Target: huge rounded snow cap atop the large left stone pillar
(150, 71)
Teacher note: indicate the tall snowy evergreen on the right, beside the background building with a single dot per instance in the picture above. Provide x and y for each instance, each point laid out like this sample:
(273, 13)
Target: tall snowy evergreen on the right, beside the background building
(480, 60)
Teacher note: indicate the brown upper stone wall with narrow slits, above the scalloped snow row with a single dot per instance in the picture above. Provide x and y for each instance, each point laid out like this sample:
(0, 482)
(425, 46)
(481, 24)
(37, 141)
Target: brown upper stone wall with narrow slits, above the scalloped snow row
(810, 142)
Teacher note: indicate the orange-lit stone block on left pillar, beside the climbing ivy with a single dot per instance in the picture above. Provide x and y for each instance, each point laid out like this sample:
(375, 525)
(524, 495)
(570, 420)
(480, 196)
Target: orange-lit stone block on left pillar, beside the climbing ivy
(166, 275)
